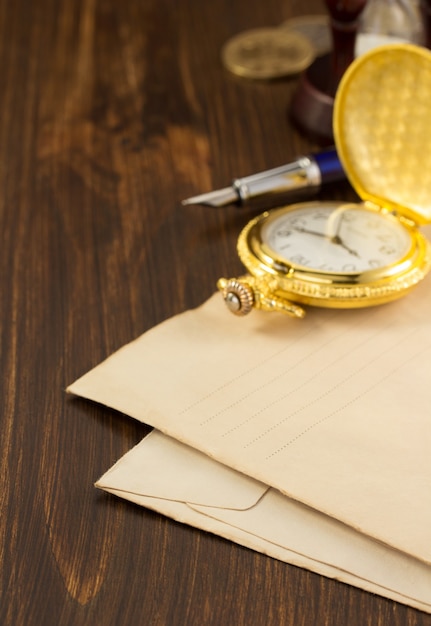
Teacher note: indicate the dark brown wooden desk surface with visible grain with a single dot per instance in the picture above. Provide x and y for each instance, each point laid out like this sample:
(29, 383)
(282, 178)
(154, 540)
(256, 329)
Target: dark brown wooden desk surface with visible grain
(111, 113)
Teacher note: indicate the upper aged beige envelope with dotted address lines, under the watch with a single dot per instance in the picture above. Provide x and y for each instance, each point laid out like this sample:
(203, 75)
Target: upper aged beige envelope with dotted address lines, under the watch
(332, 411)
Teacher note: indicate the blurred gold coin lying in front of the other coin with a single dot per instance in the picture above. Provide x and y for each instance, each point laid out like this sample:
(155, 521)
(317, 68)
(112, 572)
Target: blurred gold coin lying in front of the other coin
(266, 53)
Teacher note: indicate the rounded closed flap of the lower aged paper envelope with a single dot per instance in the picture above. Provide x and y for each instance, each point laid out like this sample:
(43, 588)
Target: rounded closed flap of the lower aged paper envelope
(162, 467)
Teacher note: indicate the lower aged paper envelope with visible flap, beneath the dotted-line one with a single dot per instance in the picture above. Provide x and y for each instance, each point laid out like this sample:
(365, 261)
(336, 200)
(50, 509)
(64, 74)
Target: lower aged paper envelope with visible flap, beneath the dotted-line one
(165, 475)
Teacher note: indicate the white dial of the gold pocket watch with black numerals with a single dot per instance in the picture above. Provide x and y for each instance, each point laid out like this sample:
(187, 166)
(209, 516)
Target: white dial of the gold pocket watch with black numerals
(339, 238)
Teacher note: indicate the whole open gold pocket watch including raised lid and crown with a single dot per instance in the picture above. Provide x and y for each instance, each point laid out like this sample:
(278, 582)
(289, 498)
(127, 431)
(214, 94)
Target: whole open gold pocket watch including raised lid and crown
(350, 255)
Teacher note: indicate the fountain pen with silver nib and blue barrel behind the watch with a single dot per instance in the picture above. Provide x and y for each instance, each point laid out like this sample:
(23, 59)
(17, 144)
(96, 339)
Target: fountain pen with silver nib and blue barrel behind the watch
(305, 173)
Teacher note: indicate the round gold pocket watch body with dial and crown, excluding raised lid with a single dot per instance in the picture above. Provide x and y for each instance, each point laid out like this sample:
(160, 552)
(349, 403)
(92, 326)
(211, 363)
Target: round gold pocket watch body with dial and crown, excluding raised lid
(328, 254)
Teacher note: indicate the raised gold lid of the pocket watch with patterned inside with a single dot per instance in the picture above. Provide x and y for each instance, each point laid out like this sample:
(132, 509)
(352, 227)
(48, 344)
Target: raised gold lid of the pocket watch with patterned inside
(382, 128)
